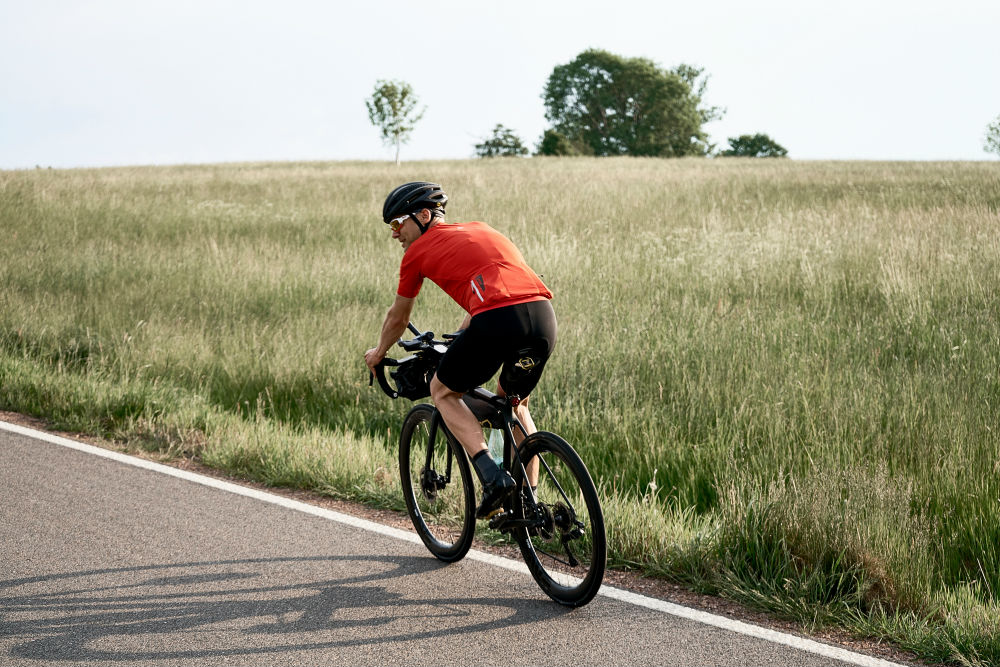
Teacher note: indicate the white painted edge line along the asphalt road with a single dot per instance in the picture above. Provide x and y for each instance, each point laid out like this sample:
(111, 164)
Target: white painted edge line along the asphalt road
(703, 617)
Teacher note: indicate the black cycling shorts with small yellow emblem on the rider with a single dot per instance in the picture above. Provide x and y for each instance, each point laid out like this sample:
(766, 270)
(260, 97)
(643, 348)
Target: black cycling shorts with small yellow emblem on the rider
(518, 339)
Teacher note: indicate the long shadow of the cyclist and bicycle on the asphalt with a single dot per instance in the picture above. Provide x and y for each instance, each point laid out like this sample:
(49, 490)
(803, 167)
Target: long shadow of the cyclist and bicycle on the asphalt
(238, 607)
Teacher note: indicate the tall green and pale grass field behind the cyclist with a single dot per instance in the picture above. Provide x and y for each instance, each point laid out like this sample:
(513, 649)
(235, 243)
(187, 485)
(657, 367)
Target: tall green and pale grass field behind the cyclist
(782, 375)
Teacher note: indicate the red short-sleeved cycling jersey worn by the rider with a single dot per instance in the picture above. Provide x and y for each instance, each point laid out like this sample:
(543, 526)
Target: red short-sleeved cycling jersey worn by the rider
(474, 264)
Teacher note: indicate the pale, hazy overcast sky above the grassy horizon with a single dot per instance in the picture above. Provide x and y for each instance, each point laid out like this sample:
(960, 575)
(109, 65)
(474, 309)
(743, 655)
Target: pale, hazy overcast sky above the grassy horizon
(132, 82)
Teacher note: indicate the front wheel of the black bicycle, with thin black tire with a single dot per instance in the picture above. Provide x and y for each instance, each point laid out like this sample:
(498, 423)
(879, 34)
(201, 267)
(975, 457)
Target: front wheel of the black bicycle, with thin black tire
(440, 497)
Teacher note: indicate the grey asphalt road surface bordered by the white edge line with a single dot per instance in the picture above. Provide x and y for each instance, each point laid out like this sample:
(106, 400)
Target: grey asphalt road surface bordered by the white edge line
(102, 562)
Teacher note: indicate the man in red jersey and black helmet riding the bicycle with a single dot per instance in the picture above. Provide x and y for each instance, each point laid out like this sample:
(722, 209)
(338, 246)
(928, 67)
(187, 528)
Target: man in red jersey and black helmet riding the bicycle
(509, 324)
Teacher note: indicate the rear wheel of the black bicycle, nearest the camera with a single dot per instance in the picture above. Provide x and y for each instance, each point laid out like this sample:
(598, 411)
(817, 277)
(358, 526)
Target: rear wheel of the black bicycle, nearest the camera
(574, 522)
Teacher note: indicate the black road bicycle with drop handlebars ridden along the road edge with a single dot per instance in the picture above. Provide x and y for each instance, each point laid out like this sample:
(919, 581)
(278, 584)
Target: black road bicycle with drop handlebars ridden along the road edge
(558, 526)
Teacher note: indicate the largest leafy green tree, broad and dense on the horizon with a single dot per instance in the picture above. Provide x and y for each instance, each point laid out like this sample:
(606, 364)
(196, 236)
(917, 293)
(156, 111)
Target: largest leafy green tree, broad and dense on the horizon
(612, 105)
